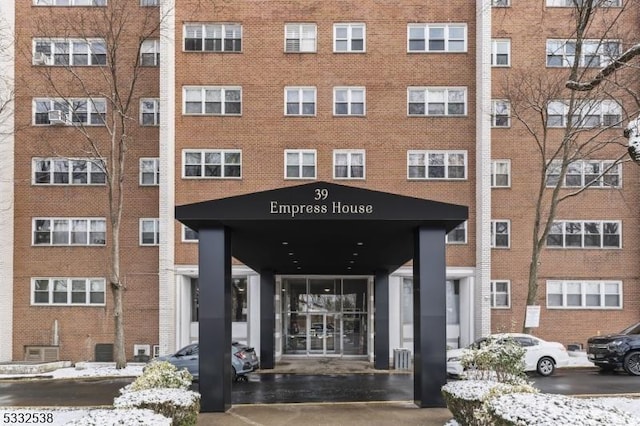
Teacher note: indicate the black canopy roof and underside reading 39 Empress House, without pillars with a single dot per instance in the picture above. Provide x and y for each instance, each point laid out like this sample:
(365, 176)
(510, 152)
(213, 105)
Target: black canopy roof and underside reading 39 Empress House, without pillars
(322, 228)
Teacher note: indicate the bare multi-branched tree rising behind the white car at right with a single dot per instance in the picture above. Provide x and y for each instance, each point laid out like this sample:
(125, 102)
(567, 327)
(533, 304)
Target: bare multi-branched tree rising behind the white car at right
(569, 124)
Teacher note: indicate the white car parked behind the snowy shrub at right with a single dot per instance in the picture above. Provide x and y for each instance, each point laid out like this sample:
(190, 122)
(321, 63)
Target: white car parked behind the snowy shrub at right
(540, 356)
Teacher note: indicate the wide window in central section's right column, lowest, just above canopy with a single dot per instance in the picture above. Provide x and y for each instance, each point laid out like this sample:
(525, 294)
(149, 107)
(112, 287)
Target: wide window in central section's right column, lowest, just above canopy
(437, 165)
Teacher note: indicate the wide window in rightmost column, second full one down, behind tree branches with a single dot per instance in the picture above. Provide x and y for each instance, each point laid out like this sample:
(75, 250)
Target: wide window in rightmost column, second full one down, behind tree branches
(586, 114)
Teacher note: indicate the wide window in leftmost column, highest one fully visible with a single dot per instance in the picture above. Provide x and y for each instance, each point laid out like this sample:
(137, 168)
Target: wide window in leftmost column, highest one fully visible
(69, 52)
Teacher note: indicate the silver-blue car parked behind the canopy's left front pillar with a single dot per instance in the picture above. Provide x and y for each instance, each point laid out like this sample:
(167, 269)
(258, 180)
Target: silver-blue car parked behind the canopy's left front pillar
(243, 360)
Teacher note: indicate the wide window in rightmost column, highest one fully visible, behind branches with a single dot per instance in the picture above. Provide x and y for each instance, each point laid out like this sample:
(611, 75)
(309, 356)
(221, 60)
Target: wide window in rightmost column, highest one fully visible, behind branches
(595, 53)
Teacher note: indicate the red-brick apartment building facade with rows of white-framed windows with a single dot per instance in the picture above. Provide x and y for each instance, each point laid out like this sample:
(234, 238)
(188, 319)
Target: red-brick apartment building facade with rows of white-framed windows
(239, 97)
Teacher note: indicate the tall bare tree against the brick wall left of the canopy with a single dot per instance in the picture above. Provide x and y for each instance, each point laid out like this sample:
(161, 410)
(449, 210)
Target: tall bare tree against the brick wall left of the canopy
(112, 38)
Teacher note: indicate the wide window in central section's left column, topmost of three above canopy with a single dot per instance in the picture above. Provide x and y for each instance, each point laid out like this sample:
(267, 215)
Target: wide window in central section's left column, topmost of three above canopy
(213, 37)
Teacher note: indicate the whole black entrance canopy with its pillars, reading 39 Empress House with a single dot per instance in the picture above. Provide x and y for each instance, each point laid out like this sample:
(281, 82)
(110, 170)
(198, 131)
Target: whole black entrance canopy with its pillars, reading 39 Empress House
(321, 228)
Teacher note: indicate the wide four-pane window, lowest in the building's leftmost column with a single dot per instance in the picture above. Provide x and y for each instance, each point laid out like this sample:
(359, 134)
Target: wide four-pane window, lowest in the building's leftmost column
(68, 291)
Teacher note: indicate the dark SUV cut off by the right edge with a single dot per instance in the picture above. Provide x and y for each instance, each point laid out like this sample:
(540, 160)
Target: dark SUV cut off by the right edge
(615, 351)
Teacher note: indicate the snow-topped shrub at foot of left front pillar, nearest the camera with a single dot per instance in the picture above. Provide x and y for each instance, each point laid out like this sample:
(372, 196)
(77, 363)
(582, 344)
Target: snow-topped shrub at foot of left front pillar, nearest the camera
(181, 405)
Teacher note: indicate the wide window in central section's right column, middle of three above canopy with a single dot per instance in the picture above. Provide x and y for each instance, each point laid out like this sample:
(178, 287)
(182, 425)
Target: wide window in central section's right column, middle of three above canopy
(436, 101)
